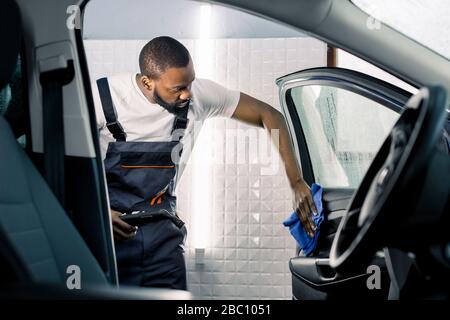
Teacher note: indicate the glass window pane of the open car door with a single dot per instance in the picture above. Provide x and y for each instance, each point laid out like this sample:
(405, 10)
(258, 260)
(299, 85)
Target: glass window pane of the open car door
(343, 132)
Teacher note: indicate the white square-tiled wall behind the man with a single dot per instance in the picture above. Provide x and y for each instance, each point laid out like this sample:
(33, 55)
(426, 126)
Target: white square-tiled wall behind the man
(248, 254)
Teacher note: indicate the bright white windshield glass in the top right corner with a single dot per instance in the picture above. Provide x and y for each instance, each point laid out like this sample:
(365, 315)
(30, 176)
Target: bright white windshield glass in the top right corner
(425, 21)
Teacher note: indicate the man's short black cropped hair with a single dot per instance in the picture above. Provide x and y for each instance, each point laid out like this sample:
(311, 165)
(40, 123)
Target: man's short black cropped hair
(162, 53)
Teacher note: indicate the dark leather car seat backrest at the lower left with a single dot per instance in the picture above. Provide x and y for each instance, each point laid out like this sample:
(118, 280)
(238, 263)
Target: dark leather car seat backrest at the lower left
(35, 224)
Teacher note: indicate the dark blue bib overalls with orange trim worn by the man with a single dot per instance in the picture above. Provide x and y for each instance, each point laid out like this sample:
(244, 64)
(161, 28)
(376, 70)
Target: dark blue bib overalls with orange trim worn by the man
(140, 177)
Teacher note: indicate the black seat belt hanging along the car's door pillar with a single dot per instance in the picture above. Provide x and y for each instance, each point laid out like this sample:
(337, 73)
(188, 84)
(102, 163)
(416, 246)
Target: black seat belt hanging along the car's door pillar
(52, 82)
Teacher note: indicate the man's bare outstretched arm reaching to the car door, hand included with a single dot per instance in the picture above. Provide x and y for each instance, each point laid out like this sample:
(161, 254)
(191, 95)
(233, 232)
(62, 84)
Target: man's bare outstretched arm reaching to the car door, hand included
(260, 114)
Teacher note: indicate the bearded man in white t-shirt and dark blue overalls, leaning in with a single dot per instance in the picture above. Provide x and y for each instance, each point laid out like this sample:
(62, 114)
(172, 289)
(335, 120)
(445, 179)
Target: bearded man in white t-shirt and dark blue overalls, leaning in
(141, 119)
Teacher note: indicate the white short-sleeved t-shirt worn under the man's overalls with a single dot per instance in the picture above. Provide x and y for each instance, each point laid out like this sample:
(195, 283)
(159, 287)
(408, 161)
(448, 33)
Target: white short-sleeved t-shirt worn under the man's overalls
(145, 121)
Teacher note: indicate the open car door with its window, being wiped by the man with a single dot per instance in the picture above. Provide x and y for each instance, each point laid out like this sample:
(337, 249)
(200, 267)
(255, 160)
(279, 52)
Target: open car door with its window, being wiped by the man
(338, 119)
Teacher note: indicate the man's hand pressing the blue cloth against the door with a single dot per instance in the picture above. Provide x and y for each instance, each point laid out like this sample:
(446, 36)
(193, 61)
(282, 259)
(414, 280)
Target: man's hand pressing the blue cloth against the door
(304, 206)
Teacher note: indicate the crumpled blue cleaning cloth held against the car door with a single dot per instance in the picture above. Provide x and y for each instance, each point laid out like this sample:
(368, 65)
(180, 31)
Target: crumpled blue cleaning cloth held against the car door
(307, 243)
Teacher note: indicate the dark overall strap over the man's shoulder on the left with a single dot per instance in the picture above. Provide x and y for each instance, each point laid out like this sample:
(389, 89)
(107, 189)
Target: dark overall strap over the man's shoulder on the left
(109, 111)
